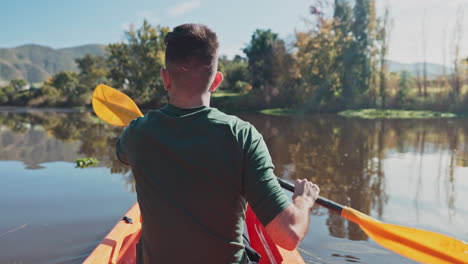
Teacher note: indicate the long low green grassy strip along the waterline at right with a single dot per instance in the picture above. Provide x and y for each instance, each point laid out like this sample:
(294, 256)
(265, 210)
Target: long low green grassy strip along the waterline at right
(397, 114)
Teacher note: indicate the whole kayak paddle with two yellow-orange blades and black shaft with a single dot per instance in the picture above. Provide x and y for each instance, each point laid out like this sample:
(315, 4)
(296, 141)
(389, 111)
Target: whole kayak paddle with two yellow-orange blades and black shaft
(116, 108)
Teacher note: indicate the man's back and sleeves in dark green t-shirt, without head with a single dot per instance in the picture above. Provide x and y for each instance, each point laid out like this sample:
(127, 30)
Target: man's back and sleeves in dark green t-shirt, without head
(195, 170)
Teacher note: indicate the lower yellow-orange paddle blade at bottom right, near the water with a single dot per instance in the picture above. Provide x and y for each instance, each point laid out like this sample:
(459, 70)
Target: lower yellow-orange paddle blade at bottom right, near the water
(420, 245)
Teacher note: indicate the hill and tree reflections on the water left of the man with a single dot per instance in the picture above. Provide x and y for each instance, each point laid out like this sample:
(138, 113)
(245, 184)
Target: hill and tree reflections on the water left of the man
(37, 137)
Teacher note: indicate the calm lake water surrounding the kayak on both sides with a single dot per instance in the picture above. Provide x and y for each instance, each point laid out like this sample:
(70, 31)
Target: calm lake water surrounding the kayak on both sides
(407, 172)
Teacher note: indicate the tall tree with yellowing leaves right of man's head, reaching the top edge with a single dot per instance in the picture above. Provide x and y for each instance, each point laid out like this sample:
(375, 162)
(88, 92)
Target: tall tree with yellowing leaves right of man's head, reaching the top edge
(322, 57)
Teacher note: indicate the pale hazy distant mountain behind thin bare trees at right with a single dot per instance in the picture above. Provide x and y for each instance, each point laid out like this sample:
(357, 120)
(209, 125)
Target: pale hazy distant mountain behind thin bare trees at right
(433, 69)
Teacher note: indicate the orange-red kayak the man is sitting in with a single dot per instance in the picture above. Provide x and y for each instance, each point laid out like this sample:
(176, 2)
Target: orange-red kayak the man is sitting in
(119, 246)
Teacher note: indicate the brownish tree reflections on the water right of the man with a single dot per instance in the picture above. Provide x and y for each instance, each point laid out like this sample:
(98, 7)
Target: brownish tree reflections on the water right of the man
(347, 157)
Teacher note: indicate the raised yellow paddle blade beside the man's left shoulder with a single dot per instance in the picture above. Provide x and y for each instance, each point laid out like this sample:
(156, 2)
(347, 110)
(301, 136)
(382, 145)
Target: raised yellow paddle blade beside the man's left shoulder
(113, 106)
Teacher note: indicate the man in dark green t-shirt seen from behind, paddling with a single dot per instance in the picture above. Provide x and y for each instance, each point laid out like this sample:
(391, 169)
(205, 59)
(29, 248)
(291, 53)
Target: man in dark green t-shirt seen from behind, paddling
(196, 168)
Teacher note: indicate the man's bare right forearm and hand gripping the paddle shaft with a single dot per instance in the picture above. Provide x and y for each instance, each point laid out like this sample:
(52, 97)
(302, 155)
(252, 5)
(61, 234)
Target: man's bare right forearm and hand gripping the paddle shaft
(289, 227)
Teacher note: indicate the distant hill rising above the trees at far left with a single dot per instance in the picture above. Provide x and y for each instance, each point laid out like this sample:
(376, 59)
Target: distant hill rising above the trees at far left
(36, 63)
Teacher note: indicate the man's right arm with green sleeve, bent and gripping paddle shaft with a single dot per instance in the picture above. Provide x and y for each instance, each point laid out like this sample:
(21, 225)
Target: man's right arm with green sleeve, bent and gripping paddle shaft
(286, 223)
